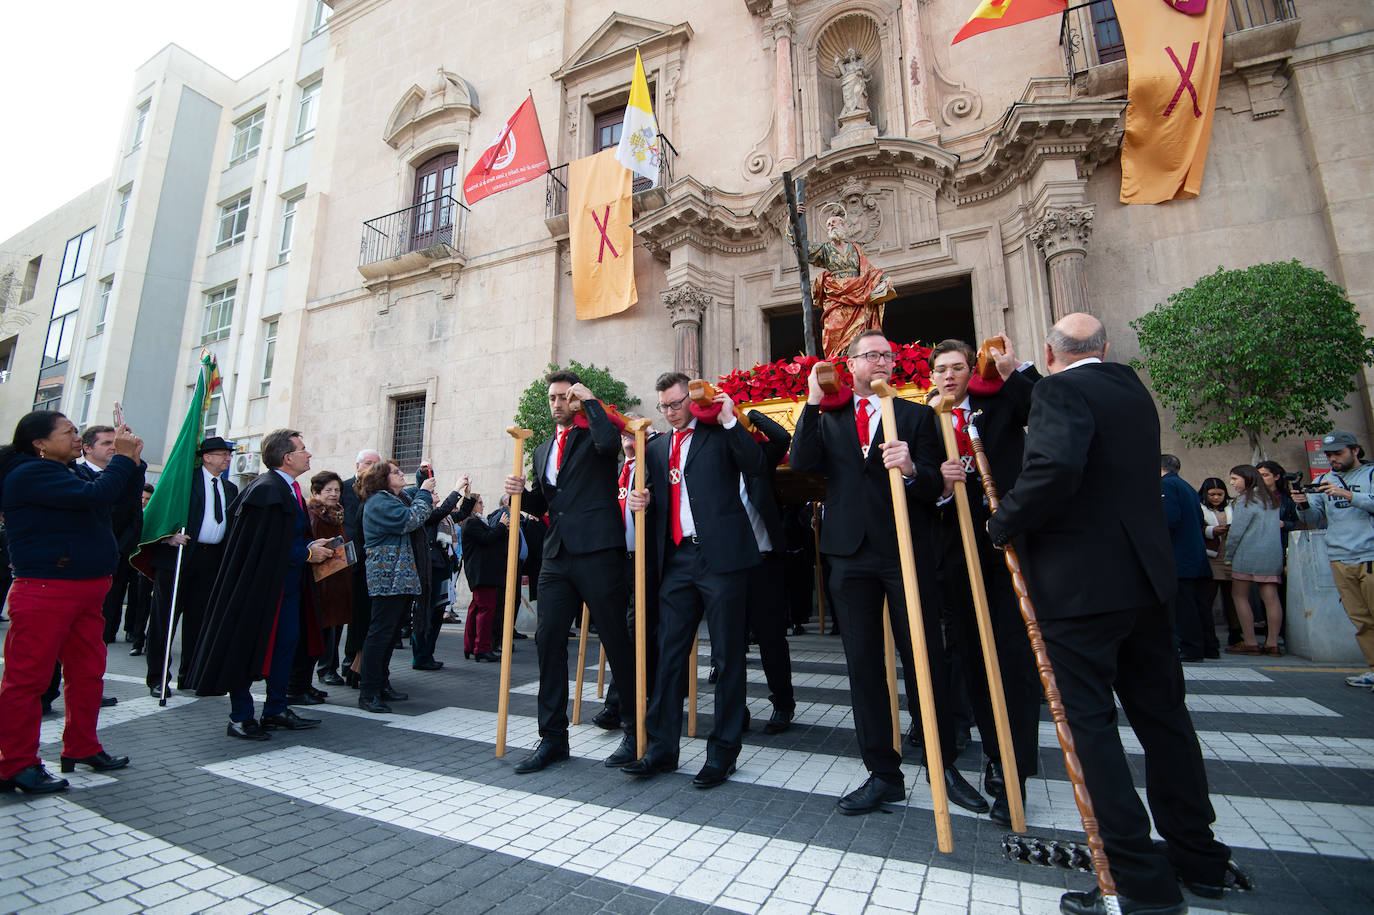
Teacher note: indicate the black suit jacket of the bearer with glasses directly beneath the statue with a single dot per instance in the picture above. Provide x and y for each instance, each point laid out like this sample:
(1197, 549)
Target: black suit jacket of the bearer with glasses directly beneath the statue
(858, 493)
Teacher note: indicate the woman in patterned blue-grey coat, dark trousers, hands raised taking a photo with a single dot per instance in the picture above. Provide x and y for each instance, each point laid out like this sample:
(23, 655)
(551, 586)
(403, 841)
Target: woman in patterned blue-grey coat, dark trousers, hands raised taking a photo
(392, 578)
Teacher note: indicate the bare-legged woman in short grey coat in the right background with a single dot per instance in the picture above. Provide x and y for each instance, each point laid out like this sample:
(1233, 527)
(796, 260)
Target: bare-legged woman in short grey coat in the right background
(1257, 557)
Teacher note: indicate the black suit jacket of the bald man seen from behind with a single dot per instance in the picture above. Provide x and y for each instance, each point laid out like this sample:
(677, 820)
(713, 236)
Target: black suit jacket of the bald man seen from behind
(1086, 509)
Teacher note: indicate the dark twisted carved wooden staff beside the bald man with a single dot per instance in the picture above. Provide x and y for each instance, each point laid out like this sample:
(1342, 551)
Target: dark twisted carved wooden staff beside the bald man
(1048, 681)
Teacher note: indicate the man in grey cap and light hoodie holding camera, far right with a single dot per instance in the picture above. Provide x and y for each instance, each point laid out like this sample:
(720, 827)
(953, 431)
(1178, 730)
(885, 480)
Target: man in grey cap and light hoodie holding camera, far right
(1344, 506)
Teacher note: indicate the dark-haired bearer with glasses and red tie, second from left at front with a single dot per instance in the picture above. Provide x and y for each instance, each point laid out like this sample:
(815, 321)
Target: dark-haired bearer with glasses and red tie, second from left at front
(707, 549)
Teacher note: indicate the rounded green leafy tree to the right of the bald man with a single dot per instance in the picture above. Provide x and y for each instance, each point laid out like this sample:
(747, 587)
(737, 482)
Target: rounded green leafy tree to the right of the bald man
(1262, 352)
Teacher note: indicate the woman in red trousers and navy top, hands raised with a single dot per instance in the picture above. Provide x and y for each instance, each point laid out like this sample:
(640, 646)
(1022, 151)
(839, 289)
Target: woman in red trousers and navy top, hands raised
(64, 554)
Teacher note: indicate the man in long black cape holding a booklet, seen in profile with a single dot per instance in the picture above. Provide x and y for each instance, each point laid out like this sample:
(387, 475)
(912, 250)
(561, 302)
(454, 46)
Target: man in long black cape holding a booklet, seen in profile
(262, 601)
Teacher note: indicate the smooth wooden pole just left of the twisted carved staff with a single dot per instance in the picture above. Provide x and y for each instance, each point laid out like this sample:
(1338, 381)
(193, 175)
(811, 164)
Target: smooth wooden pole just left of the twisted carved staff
(982, 613)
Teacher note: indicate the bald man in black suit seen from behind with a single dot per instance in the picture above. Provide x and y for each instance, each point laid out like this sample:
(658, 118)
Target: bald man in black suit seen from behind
(1093, 539)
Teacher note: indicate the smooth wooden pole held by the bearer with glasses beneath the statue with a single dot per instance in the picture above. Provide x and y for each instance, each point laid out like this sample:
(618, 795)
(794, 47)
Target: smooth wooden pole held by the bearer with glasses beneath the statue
(906, 552)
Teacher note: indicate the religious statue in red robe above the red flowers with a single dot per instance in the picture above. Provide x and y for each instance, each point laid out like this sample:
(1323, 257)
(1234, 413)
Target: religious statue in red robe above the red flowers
(848, 291)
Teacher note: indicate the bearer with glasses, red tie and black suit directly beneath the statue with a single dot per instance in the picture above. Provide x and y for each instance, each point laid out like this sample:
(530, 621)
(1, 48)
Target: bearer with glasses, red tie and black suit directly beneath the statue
(859, 538)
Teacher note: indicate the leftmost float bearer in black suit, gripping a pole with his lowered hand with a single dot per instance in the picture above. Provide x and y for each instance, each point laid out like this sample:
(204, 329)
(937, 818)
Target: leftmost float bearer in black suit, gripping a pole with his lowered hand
(575, 484)
